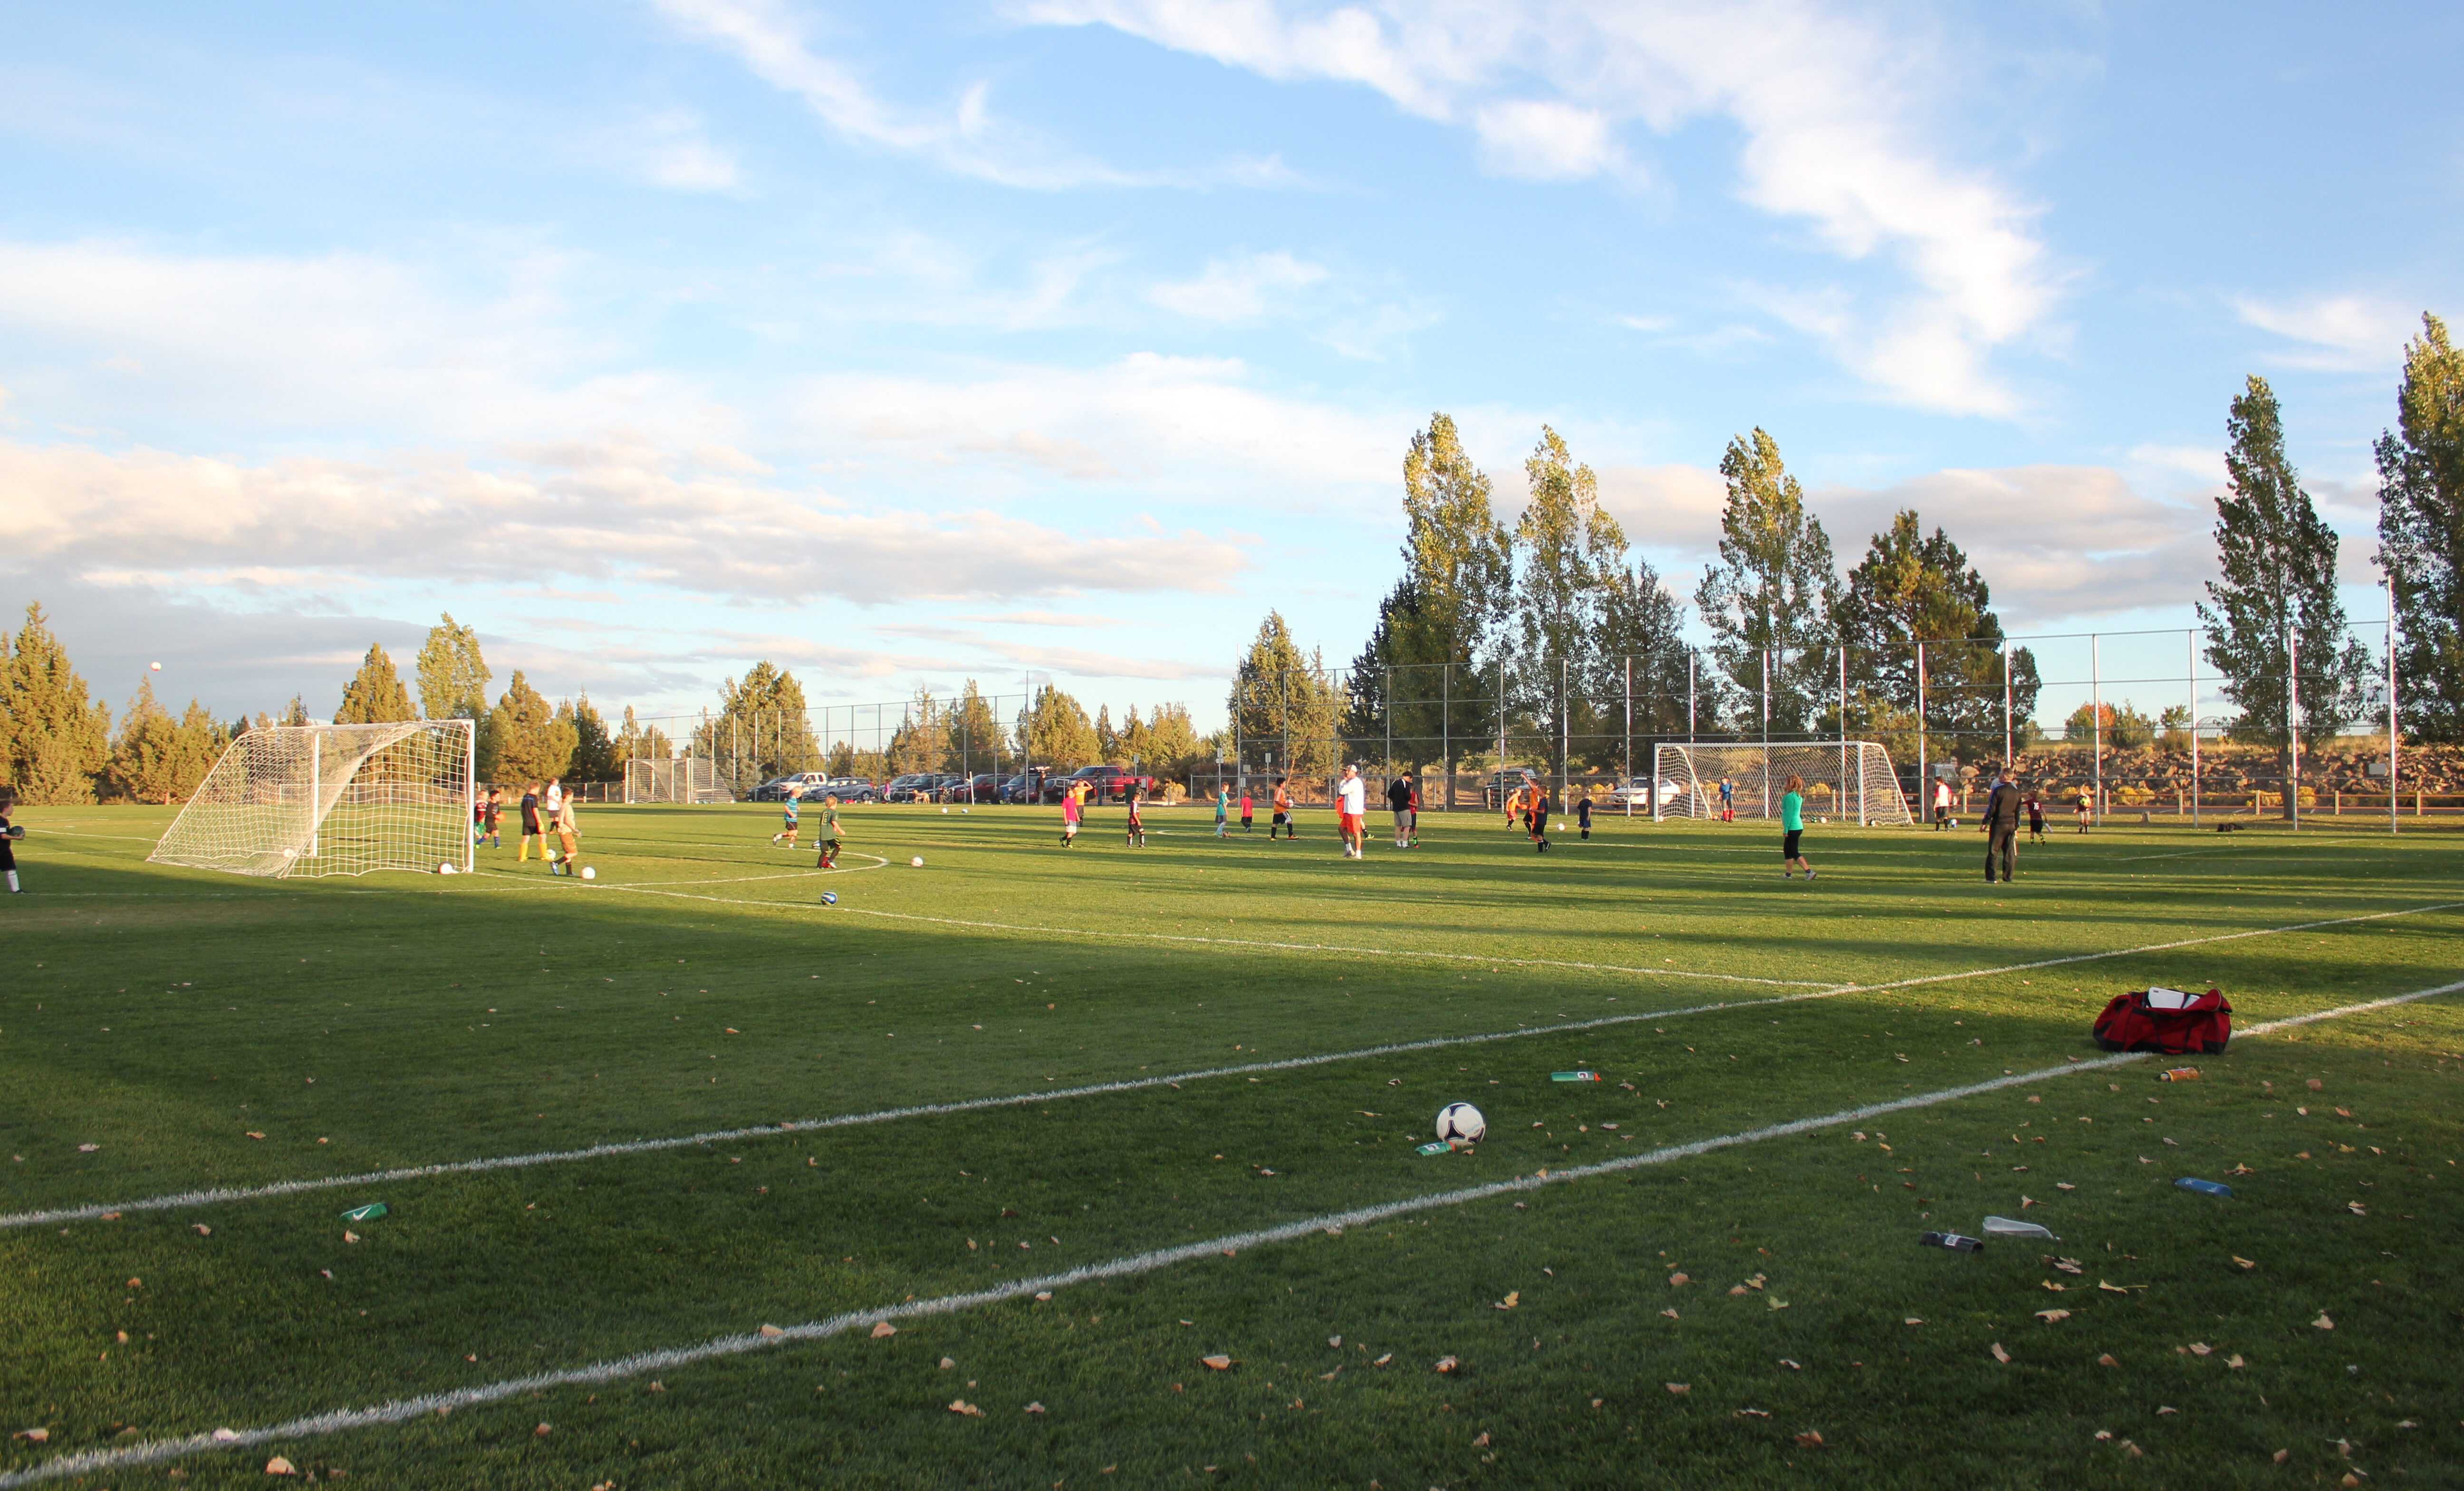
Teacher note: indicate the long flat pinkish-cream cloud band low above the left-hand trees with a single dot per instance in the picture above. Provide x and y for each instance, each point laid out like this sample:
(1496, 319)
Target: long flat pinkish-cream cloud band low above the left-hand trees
(600, 511)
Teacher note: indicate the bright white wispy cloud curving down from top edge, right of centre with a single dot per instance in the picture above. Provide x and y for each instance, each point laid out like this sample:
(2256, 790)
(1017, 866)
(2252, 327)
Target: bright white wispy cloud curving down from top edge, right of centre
(1834, 110)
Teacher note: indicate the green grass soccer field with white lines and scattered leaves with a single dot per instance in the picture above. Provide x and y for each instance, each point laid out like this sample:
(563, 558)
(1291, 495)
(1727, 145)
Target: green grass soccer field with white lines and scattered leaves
(166, 1034)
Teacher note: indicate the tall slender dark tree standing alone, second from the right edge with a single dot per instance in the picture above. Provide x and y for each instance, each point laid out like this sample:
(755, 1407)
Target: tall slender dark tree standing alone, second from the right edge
(2278, 590)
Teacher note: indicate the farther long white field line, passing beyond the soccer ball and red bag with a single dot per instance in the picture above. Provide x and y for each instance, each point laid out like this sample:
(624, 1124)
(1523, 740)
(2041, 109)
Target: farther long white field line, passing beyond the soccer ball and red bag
(972, 1105)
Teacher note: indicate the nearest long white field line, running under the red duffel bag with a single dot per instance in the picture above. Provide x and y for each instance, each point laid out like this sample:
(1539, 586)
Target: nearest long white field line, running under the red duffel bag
(1147, 1263)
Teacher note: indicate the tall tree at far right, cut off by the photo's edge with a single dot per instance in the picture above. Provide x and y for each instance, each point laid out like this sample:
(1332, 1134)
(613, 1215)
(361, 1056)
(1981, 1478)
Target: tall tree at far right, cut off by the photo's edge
(2421, 531)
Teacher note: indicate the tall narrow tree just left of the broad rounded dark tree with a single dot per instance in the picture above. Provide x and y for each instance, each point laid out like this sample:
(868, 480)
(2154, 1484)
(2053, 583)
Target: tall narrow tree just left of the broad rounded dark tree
(1768, 600)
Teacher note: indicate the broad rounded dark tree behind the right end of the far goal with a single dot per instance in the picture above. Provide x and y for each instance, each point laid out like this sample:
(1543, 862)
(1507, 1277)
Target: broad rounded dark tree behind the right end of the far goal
(1913, 588)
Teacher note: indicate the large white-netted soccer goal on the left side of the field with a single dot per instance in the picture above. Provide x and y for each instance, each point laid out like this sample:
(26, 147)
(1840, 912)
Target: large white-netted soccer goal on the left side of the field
(331, 800)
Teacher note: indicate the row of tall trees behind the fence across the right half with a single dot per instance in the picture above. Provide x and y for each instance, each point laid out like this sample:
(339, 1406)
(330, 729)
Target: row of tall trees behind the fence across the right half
(1529, 630)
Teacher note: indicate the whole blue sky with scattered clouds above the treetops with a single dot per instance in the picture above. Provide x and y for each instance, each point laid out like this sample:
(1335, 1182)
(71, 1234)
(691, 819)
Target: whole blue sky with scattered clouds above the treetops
(1068, 336)
